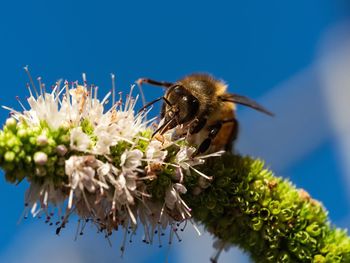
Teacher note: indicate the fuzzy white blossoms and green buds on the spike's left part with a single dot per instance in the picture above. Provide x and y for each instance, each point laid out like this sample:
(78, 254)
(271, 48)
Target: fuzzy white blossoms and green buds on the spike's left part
(102, 165)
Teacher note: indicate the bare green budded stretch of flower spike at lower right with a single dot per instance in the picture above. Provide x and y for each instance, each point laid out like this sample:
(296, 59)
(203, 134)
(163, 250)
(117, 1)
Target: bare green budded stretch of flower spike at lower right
(247, 206)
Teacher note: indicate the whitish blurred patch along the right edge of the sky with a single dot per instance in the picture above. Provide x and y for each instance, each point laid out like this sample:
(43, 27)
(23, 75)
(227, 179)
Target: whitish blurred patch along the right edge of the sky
(334, 70)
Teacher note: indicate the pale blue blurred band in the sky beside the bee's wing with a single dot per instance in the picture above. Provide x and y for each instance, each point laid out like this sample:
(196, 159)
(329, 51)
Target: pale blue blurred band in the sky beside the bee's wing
(300, 124)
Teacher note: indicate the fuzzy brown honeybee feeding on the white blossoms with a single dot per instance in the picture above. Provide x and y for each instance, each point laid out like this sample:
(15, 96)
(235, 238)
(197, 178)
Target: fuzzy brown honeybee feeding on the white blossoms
(200, 107)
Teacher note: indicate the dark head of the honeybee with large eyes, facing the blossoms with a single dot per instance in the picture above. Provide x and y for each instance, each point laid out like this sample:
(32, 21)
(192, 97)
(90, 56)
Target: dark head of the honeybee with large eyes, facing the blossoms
(180, 106)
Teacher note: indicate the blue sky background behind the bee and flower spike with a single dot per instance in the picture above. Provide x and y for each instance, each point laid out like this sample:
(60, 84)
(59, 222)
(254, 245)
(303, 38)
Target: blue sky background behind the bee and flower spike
(263, 49)
